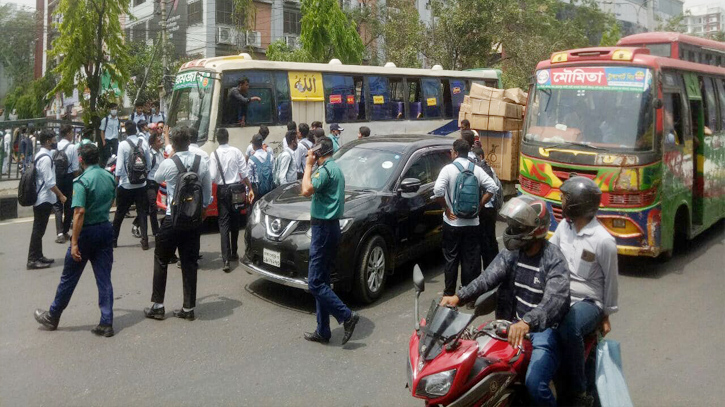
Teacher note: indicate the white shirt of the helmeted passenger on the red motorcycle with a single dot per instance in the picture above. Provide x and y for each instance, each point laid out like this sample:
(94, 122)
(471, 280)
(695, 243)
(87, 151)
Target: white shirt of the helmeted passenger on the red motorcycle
(592, 257)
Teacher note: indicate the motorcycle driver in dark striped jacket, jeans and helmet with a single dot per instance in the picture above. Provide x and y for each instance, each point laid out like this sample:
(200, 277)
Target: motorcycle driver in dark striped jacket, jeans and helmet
(533, 280)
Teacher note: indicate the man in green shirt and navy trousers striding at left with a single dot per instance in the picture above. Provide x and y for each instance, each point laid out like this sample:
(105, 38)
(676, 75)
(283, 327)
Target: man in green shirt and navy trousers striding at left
(92, 240)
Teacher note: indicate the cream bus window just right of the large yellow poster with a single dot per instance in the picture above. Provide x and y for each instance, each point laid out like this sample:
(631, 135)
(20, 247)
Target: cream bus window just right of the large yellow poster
(343, 97)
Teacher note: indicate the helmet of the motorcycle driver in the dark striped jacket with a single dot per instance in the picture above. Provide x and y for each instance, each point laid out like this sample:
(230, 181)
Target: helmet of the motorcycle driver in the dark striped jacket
(527, 219)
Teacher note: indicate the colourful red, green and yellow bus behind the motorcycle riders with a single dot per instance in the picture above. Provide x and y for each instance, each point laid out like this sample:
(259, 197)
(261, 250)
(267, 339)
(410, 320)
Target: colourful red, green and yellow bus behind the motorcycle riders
(648, 130)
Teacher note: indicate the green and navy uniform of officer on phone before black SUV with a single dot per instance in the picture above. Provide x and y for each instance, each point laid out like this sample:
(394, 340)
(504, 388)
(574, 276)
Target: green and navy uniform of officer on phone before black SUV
(328, 204)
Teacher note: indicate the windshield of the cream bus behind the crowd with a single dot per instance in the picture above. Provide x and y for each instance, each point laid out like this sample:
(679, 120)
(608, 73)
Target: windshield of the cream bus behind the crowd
(191, 101)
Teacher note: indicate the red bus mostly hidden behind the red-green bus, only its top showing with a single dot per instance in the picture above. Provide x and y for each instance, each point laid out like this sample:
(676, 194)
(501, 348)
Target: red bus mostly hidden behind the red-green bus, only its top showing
(678, 46)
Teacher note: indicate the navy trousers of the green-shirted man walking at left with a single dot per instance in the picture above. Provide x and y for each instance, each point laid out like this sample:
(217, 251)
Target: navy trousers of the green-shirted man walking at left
(96, 244)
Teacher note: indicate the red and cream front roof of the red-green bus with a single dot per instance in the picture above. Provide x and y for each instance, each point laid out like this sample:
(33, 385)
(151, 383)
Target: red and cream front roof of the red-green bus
(622, 56)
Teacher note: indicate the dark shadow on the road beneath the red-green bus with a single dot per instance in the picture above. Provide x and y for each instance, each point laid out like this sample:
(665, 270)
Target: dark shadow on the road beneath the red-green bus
(644, 267)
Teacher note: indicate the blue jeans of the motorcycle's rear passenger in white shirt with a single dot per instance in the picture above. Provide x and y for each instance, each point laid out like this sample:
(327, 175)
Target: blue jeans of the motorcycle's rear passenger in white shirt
(581, 320)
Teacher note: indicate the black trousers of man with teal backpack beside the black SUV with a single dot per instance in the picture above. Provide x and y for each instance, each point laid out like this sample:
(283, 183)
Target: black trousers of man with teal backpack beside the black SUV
(461, 245)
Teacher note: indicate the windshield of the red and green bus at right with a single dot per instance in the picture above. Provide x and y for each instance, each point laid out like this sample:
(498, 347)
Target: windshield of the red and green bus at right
(596, 107)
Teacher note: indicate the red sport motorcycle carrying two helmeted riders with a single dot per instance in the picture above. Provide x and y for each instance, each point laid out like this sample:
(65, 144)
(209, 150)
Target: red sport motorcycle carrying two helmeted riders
(450, 364)
